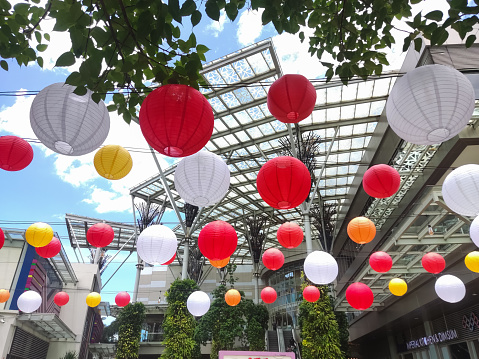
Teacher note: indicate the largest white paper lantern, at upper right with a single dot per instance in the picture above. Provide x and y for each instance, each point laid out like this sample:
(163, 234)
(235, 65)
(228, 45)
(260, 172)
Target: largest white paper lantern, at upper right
(430, 104)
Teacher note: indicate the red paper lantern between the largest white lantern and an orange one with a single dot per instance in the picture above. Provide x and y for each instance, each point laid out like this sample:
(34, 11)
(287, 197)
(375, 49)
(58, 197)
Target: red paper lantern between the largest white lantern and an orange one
(381, 181)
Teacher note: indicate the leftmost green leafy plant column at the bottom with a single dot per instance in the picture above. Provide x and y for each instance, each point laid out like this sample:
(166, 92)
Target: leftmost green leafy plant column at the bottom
(130, 322)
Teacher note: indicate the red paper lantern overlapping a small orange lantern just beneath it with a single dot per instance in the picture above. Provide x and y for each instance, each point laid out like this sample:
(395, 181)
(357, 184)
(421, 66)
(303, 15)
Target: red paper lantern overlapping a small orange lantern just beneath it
(217, 240)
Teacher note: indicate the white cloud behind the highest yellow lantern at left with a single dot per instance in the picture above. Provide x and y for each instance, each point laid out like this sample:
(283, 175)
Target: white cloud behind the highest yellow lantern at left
(105, 195)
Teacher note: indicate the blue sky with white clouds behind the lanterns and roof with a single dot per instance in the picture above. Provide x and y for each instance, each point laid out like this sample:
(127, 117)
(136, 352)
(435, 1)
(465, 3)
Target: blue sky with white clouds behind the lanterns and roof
(54, 185)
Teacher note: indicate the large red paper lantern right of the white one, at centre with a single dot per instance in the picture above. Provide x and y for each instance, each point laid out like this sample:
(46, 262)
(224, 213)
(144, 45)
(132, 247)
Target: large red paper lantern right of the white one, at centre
(284, 182)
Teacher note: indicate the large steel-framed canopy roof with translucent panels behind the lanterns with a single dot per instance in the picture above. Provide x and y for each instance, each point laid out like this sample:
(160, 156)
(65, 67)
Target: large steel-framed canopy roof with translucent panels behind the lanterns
(351, 123)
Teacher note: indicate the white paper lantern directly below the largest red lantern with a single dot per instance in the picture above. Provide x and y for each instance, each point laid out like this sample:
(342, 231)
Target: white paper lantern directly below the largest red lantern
(202, 179)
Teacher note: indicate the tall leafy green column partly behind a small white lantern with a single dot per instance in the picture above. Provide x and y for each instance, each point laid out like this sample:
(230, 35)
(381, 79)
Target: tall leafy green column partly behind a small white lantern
(179, 325)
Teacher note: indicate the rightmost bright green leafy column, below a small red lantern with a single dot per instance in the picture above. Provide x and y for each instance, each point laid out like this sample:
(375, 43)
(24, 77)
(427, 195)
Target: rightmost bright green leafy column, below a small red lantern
(319, 329)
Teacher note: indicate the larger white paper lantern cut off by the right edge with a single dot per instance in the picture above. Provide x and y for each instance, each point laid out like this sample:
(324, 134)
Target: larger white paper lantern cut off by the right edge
(460, 190)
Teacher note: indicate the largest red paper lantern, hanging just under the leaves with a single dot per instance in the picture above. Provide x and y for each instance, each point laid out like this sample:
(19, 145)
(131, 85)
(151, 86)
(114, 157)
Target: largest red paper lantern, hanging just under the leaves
(176, 120)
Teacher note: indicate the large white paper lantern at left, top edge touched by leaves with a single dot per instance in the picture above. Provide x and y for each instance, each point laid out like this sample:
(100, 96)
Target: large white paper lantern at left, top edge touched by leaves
(67, 123)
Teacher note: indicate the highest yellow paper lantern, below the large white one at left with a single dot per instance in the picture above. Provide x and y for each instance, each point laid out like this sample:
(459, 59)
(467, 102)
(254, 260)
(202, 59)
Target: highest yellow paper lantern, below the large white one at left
(113, 162)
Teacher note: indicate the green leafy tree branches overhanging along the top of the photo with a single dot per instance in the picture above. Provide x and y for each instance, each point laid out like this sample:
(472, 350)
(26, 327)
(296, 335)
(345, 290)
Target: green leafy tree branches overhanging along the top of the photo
(127, 47)
